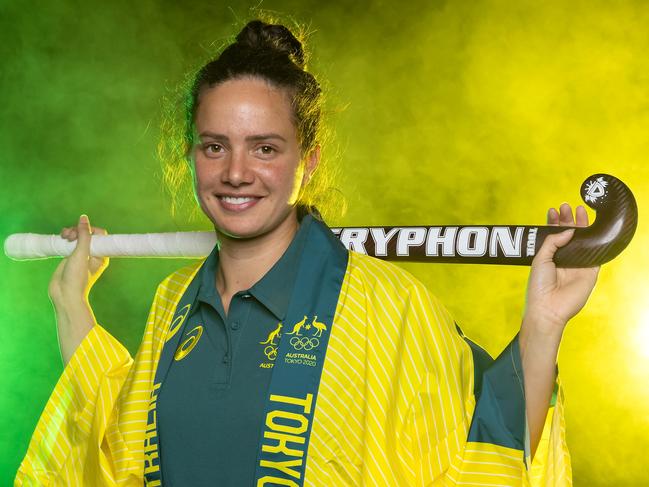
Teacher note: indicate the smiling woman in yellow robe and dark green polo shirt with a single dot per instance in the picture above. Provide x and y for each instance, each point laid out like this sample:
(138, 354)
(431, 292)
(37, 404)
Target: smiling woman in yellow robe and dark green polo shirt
(230, 385)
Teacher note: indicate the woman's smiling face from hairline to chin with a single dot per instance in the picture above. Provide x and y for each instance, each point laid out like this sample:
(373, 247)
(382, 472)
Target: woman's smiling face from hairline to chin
(247, 158)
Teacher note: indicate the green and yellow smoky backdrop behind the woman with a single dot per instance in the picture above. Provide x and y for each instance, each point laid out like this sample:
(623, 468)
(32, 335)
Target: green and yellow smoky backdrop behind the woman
(449, 112)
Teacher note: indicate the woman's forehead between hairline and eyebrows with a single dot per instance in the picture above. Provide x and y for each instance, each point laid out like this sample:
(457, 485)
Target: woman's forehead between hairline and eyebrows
(244, 106)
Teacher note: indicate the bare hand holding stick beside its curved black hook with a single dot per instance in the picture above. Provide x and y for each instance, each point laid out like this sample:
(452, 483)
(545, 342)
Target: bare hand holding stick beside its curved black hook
(555, 295)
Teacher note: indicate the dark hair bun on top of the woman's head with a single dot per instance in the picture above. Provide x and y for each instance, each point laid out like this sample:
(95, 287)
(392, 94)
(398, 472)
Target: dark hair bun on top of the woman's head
(260, 35)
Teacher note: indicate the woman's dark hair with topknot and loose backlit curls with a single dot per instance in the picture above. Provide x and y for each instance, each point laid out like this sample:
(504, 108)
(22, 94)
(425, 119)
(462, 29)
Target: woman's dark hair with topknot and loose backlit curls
(270, 52)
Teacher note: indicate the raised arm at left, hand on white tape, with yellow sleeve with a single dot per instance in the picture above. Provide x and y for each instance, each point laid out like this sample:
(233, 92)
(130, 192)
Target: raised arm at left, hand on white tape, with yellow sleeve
(96, 365)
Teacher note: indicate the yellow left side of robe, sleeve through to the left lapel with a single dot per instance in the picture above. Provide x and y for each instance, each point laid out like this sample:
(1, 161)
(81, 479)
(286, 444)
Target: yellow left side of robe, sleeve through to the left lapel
(91, 431)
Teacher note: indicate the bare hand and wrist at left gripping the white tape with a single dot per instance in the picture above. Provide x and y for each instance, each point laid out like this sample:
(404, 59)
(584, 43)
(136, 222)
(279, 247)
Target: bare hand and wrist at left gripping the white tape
(71, 284)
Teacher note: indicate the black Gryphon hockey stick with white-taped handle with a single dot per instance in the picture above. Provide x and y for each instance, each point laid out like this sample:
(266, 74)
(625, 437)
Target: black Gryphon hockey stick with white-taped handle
(614, 226)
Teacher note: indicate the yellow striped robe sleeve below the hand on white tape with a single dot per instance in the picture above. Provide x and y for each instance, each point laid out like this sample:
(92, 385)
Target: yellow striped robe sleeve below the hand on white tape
(76, 415)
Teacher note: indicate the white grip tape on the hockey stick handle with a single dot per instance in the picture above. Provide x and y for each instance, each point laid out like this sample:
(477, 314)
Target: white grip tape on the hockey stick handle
(23, 246)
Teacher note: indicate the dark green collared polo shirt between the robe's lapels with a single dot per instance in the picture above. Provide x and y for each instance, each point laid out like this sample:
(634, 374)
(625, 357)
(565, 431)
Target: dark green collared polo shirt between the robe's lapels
(210, 407)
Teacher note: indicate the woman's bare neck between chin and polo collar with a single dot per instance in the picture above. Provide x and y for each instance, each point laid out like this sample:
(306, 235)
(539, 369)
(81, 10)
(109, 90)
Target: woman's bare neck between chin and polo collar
(243, 262)
